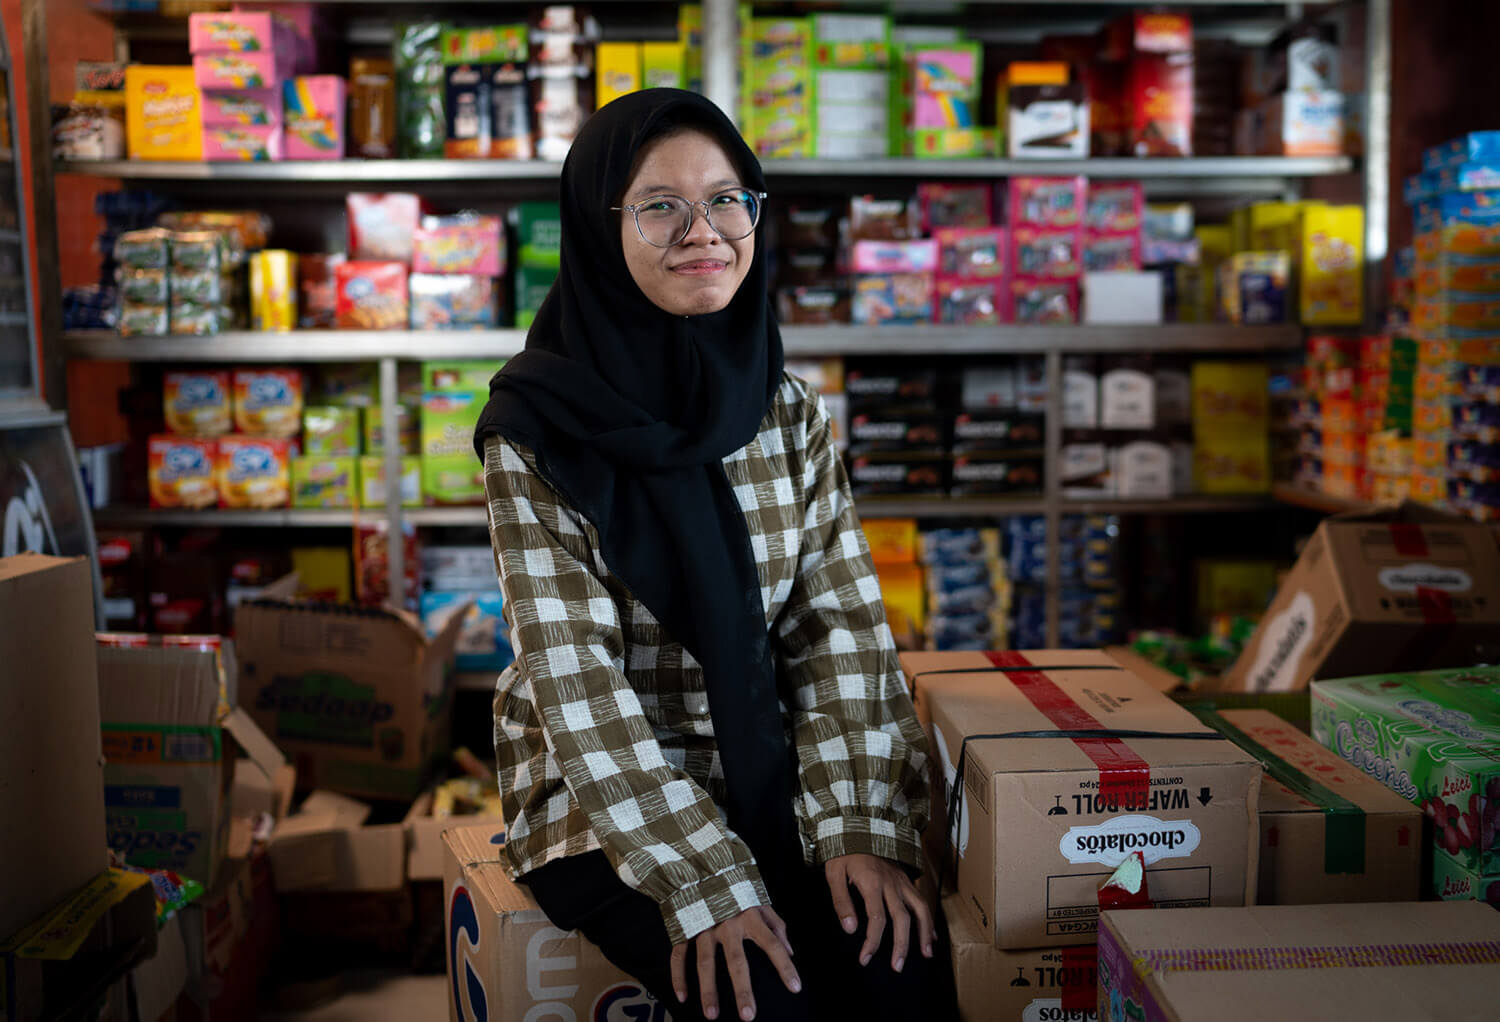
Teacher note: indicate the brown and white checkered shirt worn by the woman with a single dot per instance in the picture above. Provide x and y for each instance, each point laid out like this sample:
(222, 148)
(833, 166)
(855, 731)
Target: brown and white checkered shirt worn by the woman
(602, 727)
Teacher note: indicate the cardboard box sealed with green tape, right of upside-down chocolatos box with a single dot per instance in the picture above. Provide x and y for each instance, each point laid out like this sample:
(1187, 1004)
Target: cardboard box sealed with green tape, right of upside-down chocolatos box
(1328, 834)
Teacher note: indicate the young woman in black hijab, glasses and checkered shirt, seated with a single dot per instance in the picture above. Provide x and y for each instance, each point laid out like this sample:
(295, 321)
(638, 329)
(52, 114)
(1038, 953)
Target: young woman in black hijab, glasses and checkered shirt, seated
(707, 754)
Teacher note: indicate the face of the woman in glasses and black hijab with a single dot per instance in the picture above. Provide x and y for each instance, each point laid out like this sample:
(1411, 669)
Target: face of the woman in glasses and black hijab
(703, 272)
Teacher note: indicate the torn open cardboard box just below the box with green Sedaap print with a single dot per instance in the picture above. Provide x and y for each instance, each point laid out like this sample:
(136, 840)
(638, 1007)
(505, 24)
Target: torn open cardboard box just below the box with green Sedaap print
(328, 847)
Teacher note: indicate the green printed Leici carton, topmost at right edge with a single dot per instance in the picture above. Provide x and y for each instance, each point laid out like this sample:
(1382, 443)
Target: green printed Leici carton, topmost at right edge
(1433, 739)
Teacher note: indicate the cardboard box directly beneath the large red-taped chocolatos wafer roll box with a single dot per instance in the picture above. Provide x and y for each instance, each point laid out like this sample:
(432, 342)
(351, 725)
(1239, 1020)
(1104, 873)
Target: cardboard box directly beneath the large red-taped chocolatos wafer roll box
(1018, 987)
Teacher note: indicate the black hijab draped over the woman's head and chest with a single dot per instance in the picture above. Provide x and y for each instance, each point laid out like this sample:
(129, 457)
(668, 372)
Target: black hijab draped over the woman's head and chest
(631, 412)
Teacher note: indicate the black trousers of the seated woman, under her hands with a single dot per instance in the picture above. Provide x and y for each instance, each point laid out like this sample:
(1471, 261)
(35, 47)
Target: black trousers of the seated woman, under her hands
(584, 894)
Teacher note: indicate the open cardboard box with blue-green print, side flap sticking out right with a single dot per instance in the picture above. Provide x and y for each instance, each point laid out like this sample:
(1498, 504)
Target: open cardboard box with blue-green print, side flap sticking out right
(169, 766)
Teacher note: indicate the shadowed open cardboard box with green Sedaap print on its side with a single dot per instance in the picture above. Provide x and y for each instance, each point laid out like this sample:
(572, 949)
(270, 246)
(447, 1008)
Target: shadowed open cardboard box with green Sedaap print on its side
(359, 702)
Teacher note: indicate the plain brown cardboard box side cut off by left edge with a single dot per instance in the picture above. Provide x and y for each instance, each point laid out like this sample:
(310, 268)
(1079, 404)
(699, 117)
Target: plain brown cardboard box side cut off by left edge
(52, 772)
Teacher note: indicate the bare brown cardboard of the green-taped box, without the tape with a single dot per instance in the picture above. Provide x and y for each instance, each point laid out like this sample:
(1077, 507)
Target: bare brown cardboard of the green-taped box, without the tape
(1294, 831)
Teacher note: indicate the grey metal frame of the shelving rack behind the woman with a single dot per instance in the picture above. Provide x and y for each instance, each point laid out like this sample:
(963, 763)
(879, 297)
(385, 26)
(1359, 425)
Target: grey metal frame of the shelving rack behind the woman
(1193, 176)
